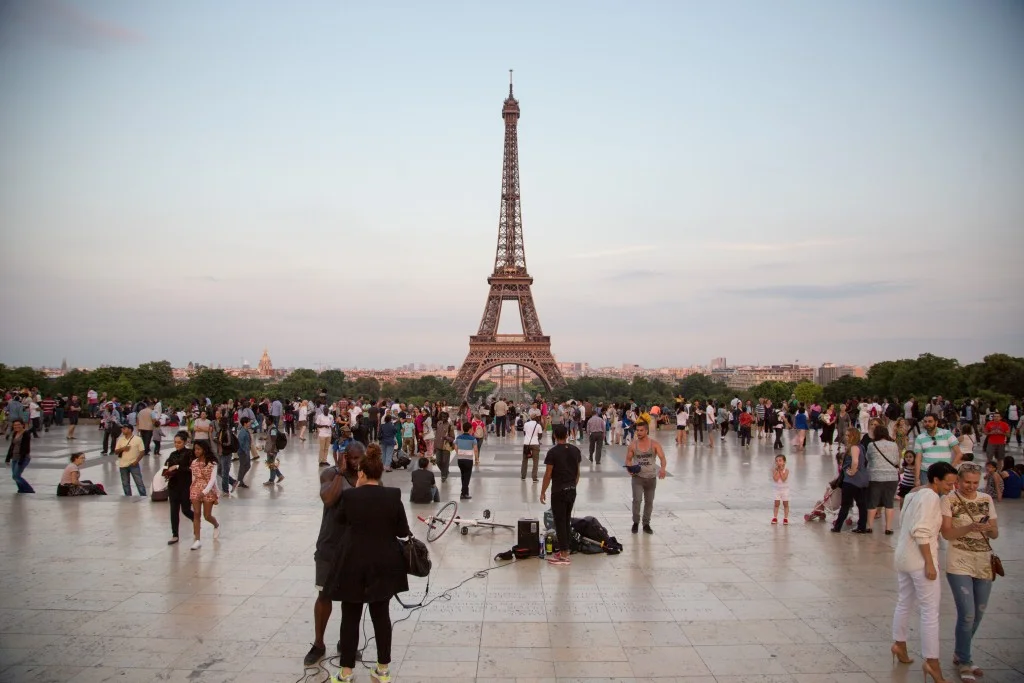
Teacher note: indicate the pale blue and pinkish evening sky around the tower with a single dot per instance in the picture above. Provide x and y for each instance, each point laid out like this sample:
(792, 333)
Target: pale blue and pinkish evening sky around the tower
(823, 182)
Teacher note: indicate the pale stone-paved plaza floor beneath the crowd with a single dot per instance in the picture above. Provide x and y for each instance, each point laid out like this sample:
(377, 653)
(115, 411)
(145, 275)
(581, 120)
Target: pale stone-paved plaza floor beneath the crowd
(92, 592)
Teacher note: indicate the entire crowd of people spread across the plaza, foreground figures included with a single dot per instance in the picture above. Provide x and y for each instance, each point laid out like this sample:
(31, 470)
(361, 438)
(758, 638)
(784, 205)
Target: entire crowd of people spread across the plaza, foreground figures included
(887, 454)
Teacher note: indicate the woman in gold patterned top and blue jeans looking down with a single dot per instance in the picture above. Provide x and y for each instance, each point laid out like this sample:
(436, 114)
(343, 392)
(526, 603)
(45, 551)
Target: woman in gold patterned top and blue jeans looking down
(968, 522)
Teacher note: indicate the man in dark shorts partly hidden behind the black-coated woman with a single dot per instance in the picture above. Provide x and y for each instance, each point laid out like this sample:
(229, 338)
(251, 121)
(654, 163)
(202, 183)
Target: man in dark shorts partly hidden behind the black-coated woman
(333, 483)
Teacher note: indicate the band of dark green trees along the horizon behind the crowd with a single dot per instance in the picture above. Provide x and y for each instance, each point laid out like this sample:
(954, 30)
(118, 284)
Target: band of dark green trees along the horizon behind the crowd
(998, 377)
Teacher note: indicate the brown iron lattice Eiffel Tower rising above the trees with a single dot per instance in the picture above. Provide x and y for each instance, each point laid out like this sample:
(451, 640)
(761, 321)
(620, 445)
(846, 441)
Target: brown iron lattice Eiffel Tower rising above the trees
(509, 282)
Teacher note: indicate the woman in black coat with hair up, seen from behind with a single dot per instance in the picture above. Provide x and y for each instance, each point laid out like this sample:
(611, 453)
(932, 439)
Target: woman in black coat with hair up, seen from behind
(371, 568)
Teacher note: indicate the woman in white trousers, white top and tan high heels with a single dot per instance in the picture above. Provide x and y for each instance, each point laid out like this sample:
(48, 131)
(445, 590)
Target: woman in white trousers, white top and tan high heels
(918, 569)
